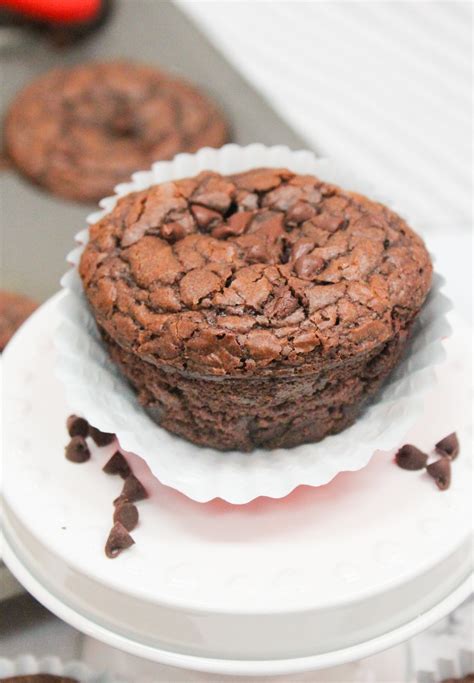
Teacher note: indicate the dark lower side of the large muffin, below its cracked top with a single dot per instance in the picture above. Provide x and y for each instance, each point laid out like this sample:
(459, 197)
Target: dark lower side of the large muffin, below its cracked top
(258, 412)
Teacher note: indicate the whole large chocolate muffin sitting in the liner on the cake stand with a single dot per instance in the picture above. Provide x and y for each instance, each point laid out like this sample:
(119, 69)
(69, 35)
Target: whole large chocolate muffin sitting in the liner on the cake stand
(261, 309)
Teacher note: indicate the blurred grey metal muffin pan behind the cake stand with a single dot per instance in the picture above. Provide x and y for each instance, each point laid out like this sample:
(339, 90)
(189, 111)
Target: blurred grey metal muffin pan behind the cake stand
(37, 228)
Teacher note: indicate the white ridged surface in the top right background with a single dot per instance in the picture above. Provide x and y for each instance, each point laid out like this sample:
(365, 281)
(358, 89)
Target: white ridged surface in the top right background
(386, 83)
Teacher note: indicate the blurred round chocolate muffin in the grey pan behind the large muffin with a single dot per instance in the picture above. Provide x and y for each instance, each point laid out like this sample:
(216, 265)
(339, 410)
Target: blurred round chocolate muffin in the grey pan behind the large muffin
(79, 131)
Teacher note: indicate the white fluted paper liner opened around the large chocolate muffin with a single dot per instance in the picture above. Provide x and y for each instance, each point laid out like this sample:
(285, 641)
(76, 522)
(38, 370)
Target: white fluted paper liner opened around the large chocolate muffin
(96, 389)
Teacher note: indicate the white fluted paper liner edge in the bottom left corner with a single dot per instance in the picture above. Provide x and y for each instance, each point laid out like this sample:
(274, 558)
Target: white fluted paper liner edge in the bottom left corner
(28, 665)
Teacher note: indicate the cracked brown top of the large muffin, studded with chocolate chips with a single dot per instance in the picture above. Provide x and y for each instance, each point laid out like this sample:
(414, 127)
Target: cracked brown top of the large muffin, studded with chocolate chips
(262, 271)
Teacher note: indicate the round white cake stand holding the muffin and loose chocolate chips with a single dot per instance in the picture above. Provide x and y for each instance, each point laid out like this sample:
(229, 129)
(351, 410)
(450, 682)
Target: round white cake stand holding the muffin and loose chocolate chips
(323, 577)
